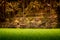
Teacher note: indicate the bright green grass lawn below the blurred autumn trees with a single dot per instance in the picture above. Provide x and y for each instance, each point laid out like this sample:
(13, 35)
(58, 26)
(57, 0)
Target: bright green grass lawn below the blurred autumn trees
(29, 34)
